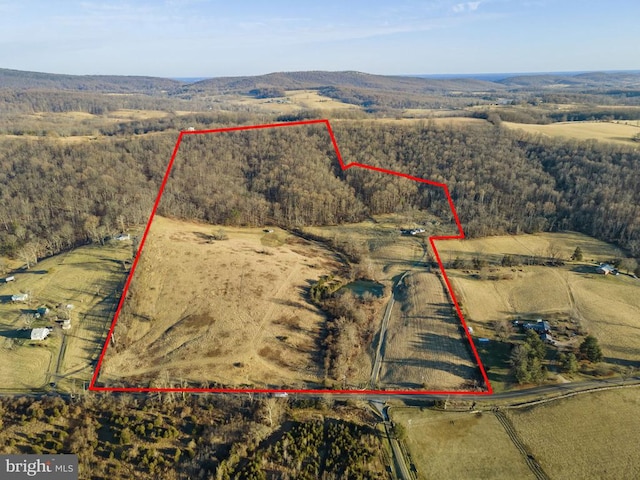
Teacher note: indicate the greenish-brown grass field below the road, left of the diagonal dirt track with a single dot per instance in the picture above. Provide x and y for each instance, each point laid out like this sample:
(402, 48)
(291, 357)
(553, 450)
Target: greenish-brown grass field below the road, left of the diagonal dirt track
(451, 446)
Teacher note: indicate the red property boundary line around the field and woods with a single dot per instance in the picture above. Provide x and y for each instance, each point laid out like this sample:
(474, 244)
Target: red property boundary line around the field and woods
(432, 240)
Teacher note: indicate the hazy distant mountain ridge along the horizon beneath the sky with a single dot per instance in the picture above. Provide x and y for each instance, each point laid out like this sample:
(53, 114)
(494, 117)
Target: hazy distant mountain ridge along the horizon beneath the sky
(365, 82)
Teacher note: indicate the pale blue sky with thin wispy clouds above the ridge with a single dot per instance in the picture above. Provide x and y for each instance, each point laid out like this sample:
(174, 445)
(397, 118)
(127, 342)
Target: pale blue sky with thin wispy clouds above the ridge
(208, 38)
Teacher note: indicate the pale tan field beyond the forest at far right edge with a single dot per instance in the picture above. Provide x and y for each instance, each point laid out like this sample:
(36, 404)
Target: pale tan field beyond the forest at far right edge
(620, 132)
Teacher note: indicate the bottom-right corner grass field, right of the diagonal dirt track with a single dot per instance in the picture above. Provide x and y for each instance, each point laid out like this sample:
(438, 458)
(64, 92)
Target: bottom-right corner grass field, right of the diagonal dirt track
(594, 436)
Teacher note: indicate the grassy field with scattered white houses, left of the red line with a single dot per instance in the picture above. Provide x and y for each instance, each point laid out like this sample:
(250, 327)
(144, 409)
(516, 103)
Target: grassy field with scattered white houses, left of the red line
(88, 278)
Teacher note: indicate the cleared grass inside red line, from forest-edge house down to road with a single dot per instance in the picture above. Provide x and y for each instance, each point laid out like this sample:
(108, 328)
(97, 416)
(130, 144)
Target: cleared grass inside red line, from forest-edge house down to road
(423, 347)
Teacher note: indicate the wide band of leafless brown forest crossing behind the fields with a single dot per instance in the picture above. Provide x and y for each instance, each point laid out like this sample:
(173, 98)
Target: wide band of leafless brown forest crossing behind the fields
(55, 195)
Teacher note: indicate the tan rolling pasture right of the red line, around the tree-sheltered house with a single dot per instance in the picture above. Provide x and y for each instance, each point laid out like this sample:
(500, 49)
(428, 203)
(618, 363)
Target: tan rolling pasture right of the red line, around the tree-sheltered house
(572, 297)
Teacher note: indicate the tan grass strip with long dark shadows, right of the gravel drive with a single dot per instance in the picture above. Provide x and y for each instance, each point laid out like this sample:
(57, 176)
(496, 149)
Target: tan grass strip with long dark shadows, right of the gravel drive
(424, 347)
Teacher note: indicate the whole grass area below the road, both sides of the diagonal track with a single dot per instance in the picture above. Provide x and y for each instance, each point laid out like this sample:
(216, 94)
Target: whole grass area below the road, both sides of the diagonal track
(591, 436)
